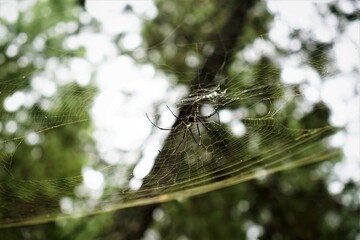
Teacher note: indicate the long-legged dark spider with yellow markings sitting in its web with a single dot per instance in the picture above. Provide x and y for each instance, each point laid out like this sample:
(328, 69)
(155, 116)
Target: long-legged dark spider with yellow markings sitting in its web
(193, 118)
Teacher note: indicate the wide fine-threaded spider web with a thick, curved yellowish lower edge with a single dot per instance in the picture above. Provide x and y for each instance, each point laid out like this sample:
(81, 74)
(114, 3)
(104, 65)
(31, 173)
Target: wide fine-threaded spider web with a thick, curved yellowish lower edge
(250, 138)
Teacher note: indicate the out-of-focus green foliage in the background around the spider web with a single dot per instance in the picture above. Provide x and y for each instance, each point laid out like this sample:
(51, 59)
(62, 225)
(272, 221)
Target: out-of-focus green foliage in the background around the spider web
(293, 204)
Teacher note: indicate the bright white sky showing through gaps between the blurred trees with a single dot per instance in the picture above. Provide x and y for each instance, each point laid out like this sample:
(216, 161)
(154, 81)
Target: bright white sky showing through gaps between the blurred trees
(127, 90)
